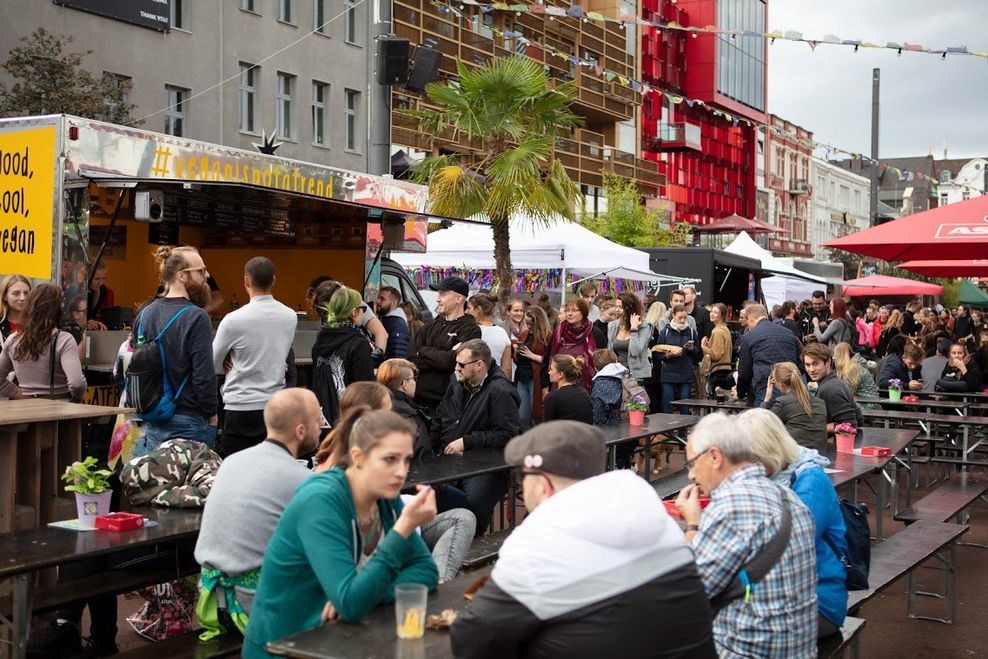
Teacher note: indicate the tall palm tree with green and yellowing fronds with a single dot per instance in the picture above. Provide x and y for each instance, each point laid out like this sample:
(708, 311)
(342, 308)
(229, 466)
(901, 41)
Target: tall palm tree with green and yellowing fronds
(507, 109)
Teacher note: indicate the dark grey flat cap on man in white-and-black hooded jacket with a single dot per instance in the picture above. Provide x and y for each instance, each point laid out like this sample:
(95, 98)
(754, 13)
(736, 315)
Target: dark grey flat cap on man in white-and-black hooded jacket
(566, 448)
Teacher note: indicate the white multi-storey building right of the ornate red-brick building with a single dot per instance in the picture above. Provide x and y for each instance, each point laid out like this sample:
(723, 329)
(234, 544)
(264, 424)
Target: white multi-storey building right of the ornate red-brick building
(839, 204)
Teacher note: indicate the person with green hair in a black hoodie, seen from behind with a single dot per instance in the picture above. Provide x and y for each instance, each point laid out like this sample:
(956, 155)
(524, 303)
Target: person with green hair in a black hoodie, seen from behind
(341, 355)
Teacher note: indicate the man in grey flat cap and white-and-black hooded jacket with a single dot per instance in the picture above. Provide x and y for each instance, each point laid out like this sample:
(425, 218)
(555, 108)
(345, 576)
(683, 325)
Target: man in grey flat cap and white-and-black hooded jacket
(597, 569)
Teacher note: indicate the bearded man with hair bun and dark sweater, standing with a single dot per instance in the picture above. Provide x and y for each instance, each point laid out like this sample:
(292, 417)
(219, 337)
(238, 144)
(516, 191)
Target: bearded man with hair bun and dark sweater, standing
(188, 348)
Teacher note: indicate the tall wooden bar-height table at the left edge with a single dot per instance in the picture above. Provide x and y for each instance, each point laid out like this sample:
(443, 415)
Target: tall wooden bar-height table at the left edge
(39, 438)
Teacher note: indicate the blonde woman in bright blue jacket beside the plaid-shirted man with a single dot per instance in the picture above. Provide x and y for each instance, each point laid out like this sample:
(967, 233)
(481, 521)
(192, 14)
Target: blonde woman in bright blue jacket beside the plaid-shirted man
(801, 469)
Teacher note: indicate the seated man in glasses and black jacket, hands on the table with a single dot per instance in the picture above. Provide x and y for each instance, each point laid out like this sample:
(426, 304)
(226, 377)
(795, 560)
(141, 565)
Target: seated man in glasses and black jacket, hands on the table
(480, 410)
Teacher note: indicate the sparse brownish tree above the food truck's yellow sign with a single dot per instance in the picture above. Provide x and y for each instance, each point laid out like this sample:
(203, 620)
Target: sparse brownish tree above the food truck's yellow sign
(48, 79)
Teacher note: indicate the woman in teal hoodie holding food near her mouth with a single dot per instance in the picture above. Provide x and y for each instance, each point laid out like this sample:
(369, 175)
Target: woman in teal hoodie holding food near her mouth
(345, 539)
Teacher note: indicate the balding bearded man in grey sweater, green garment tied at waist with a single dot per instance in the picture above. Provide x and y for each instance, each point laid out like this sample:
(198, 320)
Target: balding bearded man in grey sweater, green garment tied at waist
(251, 490)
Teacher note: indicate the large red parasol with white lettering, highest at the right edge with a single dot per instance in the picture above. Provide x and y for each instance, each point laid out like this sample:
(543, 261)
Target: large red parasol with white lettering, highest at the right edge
(955, 231)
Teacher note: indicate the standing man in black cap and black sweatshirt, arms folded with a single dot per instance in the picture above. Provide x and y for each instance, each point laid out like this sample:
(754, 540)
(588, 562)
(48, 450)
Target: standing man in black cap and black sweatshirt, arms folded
(433, 346)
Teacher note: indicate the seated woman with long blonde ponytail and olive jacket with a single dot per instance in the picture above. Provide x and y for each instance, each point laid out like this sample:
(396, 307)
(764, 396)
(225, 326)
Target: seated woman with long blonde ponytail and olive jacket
(804, 416)
